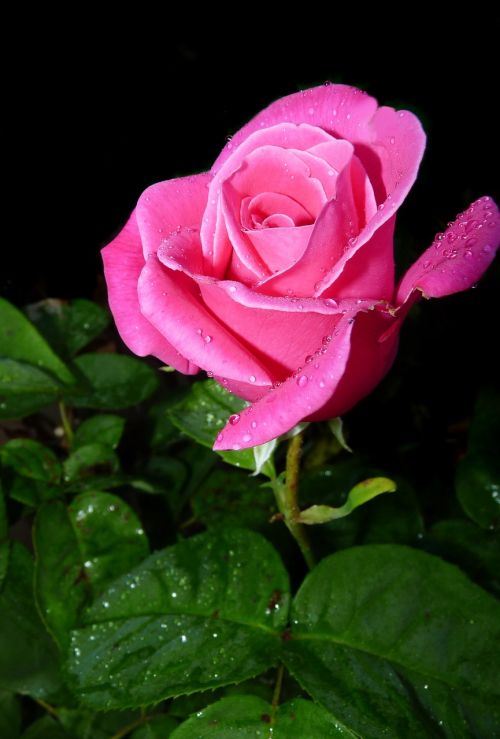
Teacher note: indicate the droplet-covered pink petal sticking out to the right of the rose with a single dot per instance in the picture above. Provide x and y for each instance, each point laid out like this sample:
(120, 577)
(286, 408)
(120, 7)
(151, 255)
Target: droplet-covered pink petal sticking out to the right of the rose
(458, 258)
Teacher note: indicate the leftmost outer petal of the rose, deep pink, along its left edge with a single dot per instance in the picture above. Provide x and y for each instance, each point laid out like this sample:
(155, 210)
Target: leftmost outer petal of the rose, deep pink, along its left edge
(123, 262)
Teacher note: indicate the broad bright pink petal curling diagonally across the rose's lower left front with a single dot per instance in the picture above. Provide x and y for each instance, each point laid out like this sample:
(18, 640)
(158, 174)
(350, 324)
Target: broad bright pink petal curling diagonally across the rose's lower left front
(170, 301)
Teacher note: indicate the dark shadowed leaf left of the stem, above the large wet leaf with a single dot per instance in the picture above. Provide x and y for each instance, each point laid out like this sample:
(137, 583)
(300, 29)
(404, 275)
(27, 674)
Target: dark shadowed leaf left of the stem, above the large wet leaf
(232, 498)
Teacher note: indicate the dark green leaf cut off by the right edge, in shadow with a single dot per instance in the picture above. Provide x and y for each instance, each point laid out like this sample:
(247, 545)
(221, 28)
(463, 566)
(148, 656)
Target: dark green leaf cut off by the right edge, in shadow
(478, 473)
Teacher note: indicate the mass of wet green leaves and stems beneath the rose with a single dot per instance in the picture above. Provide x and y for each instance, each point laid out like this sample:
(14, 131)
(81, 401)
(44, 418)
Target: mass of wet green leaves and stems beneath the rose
(148, 586)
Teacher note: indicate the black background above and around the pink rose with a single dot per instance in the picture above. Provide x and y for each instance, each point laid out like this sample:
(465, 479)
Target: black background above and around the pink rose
(101, 114)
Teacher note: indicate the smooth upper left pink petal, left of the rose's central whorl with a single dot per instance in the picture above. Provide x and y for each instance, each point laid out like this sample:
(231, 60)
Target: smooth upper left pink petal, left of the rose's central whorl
(169, 205)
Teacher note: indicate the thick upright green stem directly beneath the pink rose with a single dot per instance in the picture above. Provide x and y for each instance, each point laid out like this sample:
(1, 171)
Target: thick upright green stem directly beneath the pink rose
(287, 499)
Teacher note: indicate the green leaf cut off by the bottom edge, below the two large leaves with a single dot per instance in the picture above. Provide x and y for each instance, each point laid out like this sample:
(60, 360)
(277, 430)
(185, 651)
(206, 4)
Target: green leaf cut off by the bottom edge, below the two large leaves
(246, 717)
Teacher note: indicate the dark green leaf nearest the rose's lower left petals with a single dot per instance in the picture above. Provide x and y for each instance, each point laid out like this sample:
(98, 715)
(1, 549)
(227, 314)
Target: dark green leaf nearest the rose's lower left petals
(113, 381)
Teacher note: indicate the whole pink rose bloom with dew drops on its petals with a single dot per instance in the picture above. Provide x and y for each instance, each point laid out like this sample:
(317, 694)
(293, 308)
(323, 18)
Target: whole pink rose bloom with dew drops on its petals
(274, 272)
